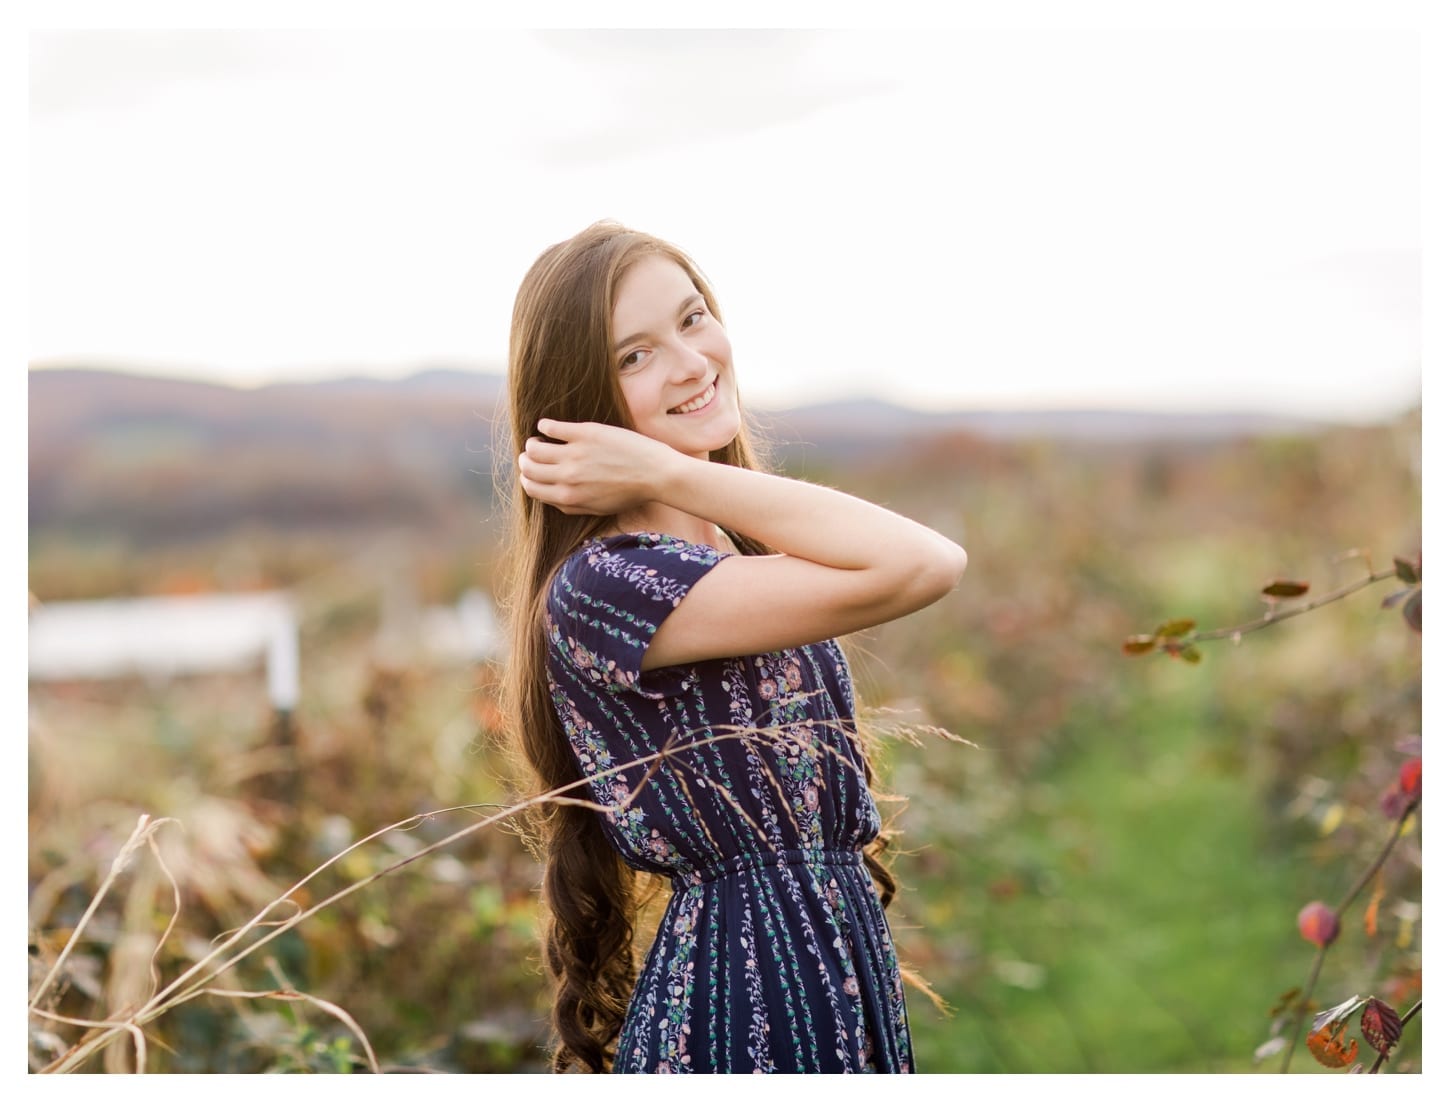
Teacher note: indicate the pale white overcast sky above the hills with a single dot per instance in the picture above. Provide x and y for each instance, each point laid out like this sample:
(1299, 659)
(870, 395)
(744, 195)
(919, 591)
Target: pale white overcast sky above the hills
(952, 218)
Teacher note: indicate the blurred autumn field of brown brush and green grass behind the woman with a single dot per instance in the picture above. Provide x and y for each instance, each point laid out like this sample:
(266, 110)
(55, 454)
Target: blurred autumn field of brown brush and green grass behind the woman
(1106, 882)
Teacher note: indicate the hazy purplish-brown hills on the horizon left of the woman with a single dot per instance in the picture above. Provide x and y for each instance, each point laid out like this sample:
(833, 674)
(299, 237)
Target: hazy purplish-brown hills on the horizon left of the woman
(160, 460)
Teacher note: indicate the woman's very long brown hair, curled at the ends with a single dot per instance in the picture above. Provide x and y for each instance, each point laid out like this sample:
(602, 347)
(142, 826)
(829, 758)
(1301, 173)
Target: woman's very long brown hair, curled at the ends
(560, 368)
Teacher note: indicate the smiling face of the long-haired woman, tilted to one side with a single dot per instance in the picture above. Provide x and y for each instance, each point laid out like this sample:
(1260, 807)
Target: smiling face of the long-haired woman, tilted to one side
(674, 359)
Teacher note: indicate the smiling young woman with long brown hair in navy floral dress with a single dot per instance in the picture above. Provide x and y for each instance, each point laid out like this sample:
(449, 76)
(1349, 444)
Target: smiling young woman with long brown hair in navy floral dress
(672, 597)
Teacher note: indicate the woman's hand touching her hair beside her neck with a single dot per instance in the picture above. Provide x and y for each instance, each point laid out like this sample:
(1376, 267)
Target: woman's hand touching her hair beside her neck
(597, 471)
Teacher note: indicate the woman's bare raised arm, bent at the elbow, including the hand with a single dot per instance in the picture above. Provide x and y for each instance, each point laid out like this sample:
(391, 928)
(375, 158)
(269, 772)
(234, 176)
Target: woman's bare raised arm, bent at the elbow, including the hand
(843, 563)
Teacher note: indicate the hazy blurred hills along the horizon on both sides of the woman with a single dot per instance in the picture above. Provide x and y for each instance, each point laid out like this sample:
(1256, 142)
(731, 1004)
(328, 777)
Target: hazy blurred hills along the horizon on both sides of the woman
(163, 459)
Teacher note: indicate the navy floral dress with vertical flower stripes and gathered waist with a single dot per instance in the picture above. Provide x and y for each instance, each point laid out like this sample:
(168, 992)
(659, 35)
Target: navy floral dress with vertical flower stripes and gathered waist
(774, 953)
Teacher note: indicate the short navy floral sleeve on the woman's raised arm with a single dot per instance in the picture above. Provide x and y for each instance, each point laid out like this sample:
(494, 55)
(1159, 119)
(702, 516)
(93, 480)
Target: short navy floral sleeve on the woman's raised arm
(608, 601)
